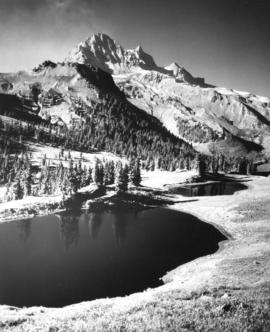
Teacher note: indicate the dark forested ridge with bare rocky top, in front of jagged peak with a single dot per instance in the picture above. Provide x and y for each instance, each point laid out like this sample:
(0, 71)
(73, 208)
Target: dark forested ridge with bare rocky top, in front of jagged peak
(80, 107)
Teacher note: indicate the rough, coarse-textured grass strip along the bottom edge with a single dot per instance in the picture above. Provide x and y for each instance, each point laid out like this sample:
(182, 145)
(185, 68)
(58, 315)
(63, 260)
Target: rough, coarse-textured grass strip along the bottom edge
(218, 309)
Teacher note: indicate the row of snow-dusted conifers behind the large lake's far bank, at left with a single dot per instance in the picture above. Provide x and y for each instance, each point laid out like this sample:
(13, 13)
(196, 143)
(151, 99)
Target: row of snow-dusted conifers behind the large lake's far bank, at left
(24, 179)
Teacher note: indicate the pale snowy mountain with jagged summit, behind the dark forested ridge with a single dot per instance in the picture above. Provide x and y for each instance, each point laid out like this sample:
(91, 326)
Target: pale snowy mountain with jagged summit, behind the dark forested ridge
(187, 106)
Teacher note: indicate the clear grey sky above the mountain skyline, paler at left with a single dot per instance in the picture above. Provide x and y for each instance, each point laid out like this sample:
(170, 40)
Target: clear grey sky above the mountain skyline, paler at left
(225, 41)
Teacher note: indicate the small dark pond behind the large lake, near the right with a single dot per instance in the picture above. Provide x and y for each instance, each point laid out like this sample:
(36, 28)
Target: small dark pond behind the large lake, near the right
(210, 189)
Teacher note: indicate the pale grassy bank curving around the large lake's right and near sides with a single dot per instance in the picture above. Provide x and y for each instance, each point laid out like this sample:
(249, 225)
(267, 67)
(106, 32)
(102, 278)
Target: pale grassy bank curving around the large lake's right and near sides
(226, 291)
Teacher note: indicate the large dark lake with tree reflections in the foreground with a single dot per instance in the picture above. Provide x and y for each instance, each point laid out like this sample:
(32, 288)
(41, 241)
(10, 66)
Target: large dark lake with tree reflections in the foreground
(63, 259)
